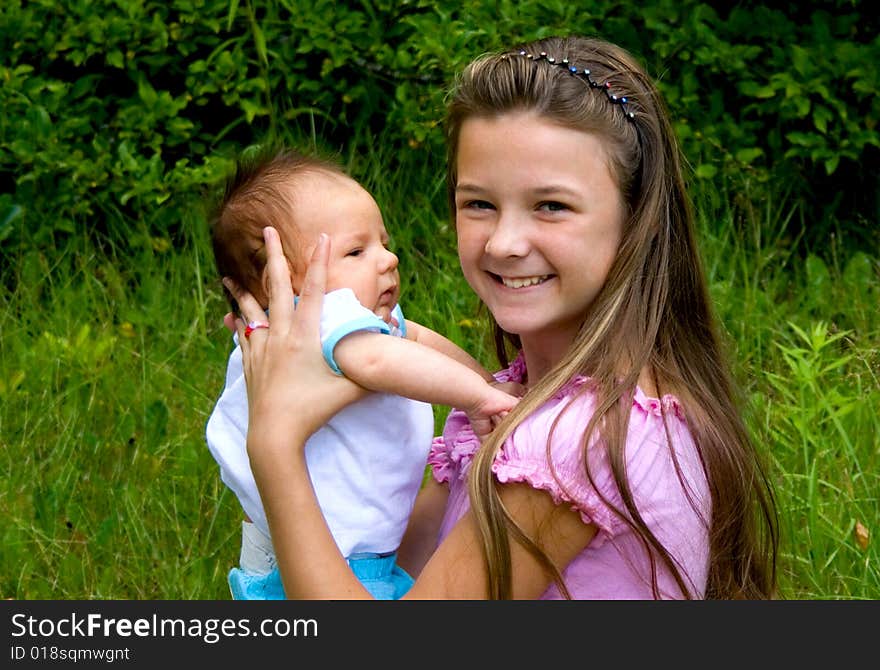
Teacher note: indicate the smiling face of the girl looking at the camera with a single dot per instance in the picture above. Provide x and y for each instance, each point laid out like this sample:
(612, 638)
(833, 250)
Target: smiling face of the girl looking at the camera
(539, 220)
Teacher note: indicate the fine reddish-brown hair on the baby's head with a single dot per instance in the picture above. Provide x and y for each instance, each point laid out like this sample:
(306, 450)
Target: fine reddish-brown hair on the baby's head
(257, 194)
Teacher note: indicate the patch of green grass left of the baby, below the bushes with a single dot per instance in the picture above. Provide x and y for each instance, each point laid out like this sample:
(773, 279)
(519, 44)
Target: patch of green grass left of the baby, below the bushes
(108, 375)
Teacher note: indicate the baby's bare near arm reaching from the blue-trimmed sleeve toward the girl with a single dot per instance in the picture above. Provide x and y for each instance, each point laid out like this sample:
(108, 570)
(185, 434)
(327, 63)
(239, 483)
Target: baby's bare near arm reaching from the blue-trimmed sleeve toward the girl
(404, 367)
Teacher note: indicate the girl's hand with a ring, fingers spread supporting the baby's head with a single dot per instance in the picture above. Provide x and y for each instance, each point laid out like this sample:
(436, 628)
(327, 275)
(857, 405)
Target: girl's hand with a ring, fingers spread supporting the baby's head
(291, 390)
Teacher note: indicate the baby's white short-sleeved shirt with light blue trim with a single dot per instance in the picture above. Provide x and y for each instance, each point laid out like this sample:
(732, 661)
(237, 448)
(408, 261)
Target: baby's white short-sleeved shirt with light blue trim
(366, 463)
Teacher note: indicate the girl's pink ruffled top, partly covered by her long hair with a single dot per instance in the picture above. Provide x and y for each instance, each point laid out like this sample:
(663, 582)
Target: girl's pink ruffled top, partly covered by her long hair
(614, 565)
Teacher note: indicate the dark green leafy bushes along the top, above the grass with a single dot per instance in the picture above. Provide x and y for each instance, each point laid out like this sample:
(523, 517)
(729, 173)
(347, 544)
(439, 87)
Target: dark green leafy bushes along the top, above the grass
(118, 113)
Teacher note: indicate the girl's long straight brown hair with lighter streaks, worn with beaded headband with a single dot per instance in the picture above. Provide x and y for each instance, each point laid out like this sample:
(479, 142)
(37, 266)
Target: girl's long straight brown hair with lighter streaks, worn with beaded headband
(652, 313)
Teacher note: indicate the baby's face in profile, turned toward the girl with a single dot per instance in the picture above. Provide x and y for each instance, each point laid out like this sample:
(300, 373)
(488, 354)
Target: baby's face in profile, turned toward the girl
(359, 257)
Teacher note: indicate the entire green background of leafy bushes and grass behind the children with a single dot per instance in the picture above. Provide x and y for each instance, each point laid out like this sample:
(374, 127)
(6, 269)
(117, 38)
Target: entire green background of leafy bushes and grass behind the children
(120, 117)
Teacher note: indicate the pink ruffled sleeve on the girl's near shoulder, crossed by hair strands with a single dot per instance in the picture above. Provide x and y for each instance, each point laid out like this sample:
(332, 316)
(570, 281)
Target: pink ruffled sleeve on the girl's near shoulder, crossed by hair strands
(654, 477)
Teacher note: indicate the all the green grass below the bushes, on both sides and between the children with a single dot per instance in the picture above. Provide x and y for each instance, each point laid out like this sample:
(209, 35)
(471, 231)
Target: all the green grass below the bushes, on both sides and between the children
(110, 365)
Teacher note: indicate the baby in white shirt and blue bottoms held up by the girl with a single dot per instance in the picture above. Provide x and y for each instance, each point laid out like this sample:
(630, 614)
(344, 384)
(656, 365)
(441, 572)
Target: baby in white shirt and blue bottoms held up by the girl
(367, 463)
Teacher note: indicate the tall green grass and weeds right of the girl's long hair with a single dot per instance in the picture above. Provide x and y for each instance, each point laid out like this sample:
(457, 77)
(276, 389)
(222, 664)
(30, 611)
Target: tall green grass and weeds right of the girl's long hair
(804, 336)
